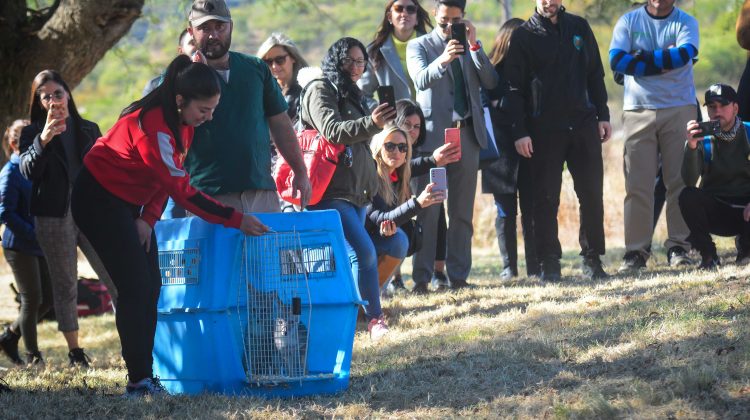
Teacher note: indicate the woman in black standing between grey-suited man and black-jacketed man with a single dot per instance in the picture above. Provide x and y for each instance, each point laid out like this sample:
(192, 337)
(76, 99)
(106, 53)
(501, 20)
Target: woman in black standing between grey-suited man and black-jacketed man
(508, 178)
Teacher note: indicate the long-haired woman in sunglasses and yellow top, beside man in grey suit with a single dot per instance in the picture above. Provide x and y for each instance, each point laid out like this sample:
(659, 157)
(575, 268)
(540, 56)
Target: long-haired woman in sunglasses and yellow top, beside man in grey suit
(403, 21)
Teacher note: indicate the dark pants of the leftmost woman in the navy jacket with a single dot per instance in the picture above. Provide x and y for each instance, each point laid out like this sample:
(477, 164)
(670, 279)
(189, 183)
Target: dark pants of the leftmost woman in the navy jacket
(35, 290)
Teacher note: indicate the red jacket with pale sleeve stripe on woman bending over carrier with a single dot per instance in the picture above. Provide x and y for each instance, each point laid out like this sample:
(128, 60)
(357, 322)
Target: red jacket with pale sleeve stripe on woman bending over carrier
(141, 165)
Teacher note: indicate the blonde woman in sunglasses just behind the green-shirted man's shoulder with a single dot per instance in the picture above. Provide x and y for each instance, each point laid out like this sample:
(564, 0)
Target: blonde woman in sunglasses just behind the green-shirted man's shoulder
(284, 60)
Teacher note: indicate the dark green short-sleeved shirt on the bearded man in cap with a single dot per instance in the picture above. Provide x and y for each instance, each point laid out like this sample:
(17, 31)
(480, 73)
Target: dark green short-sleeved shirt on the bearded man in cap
(232, 152)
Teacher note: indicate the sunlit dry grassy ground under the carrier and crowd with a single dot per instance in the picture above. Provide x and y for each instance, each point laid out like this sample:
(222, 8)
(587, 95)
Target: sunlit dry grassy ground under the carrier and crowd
(666, 344)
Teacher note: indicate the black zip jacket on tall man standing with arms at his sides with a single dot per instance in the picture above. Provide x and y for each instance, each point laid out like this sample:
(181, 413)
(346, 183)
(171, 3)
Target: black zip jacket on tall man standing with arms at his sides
(563, 65)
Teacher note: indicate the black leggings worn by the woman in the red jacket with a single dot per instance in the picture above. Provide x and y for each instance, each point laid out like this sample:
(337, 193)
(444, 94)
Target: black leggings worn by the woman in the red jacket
(108, 223)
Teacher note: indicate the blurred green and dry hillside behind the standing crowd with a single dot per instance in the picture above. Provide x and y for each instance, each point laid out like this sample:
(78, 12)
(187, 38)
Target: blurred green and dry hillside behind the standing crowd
(119, 78)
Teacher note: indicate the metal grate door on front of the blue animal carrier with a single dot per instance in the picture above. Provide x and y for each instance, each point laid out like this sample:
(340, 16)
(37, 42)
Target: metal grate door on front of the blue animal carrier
(277, 324)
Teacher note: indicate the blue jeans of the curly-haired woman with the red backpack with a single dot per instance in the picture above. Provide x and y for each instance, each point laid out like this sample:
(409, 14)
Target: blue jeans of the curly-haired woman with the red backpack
(361, 250)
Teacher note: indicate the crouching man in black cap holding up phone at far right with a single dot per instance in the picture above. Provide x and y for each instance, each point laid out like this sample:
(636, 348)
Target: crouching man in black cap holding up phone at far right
(720, 205)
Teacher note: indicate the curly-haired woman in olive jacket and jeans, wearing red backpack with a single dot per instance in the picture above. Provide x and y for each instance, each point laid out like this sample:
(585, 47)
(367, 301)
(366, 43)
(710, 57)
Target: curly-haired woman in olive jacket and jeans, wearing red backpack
(332, 104)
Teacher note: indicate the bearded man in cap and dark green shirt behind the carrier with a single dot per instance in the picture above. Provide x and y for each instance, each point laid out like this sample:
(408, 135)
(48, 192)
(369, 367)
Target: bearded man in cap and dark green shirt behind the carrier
(230, 157)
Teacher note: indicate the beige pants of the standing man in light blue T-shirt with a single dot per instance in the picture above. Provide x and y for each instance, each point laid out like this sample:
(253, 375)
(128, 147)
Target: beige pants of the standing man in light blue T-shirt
(650, 134)
